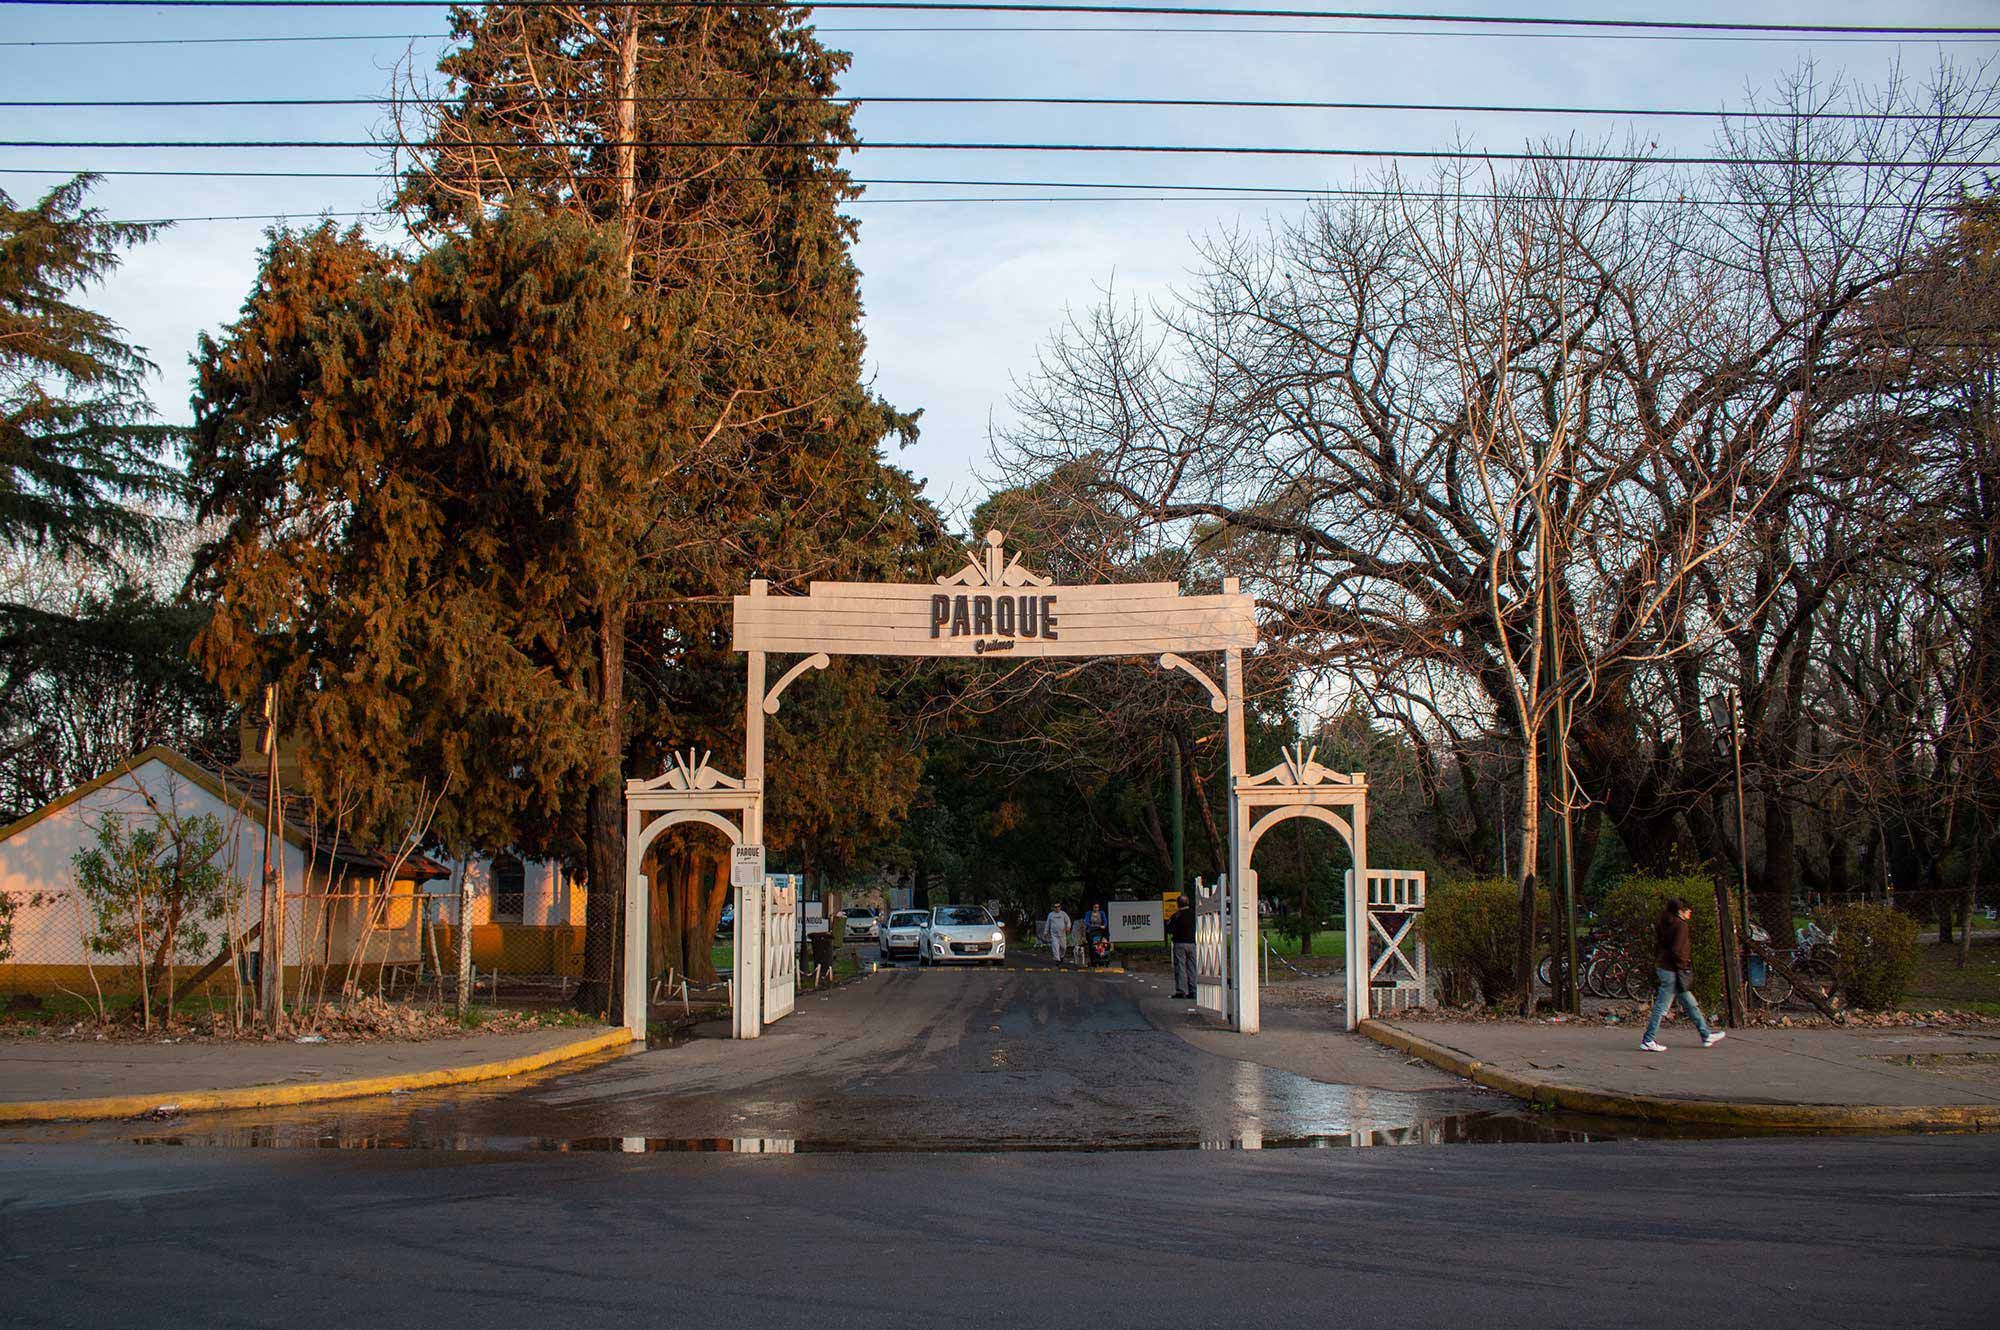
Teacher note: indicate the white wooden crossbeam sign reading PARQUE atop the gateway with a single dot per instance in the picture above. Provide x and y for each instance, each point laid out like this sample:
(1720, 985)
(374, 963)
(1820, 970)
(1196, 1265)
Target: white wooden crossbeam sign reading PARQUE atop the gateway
(993, 607)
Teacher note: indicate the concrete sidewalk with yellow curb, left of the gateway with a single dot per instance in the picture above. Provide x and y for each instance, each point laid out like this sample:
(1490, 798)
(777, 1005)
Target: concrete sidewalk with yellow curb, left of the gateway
(45, 1081)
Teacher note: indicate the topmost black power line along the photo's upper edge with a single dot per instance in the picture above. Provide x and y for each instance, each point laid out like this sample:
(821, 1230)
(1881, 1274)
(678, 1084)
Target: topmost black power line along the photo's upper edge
(1165, 11)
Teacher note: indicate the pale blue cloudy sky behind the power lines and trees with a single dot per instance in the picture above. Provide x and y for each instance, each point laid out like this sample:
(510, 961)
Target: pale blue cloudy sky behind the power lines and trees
(959, 295)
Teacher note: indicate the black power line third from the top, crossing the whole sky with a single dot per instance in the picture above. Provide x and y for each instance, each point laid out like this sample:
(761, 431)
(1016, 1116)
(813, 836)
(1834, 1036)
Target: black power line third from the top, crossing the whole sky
(1023, 101)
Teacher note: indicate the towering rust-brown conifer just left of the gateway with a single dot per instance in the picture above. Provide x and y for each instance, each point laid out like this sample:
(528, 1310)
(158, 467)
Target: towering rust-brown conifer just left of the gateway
(719, 279)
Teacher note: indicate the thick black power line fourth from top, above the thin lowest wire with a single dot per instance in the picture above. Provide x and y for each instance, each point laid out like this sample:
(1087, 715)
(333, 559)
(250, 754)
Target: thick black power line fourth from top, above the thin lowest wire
(879, 145)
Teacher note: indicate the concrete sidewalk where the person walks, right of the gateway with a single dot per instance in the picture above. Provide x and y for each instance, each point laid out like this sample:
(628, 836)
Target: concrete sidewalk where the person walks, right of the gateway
(1757, 1077)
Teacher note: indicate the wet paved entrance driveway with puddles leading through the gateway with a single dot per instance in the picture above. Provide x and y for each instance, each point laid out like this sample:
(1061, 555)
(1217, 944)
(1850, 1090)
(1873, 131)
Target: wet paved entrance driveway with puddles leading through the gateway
(931, 1059)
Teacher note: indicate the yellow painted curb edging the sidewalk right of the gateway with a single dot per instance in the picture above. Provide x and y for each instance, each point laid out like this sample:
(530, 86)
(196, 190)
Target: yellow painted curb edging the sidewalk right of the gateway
(1545, 1093)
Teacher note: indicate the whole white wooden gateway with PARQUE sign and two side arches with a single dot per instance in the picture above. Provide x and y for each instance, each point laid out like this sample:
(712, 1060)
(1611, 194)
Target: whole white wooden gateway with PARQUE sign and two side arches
(995, 609)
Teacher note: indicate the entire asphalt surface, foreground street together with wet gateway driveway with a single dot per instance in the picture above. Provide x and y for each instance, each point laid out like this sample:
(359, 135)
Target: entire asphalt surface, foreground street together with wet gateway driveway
(1019, 1149)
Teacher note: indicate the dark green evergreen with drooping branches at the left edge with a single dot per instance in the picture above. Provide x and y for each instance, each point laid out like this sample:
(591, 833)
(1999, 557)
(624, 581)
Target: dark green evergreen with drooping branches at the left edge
(77, 431)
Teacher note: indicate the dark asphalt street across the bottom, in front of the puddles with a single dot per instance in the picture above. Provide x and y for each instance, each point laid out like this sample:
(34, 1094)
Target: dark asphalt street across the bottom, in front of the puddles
(1675, 1235)
